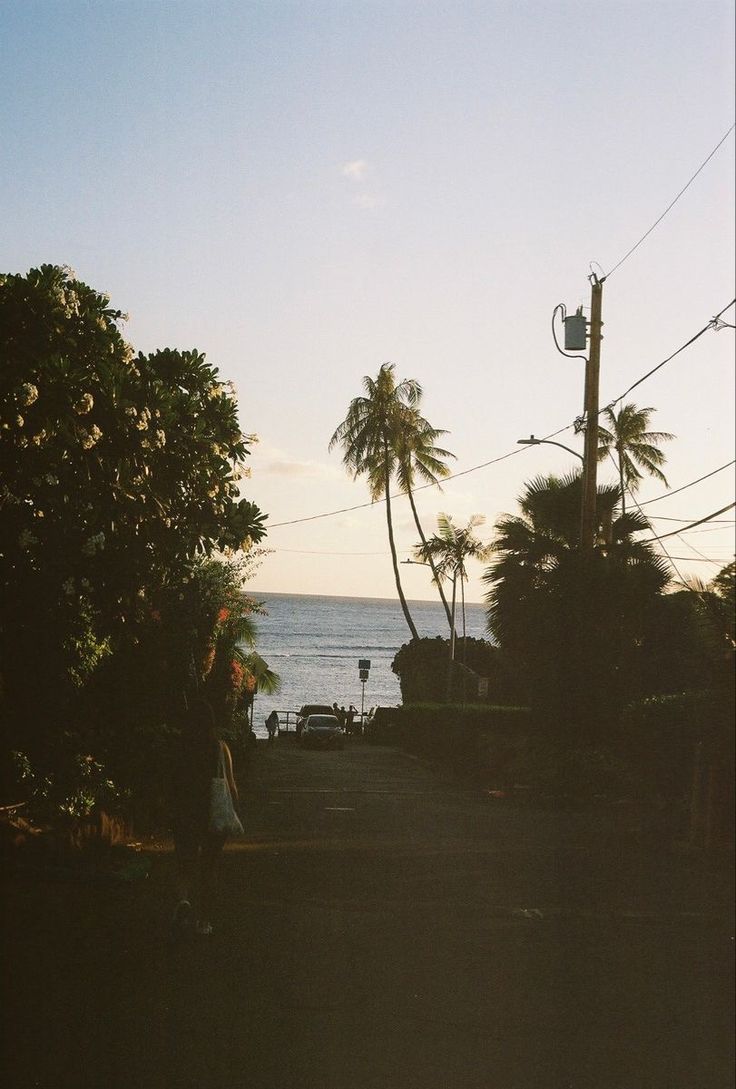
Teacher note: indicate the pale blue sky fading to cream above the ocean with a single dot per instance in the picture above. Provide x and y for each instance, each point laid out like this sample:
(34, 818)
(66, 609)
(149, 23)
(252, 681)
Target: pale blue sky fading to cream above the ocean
(306, 191)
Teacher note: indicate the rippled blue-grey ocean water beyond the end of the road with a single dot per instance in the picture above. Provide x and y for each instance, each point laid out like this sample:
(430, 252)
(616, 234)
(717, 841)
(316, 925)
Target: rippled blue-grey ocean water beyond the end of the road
(314, 644)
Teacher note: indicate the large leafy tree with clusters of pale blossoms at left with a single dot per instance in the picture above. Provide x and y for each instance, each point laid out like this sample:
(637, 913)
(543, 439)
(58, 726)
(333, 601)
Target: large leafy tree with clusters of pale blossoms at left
(118, 471)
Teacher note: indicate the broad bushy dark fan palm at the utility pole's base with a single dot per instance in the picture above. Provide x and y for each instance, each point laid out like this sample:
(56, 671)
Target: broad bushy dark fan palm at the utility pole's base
(571, 625)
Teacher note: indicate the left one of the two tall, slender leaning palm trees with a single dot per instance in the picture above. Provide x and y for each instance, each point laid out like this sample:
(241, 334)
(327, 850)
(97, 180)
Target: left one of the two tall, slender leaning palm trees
(369, 438)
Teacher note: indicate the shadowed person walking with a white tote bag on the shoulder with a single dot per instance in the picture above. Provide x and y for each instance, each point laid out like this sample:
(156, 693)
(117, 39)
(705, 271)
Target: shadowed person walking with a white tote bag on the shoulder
(195, 764)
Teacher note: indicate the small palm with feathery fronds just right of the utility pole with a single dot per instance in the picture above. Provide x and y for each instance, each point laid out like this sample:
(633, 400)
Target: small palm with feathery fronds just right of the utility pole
(635, 447)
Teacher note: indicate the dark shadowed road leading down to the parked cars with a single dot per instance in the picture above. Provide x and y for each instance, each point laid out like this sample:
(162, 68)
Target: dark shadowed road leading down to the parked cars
(382, 929)
